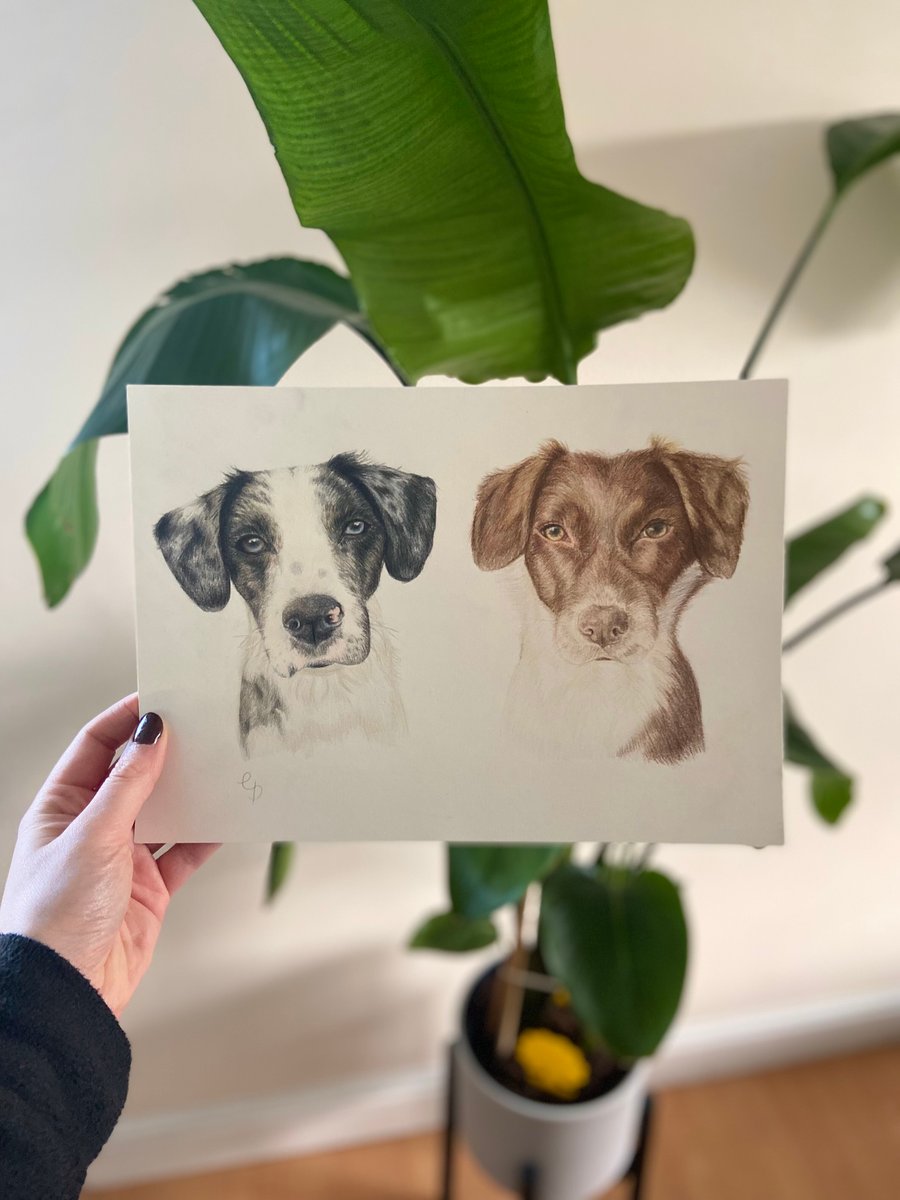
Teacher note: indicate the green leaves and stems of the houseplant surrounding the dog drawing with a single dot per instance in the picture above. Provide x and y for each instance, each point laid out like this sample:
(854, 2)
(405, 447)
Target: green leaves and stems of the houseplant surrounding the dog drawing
(441, 281)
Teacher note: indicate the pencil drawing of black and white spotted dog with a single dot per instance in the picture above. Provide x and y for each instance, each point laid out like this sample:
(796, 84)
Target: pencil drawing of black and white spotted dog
(304, 548)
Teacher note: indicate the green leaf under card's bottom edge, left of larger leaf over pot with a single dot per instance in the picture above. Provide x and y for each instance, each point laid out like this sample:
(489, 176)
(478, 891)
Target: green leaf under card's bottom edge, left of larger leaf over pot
(483, 879)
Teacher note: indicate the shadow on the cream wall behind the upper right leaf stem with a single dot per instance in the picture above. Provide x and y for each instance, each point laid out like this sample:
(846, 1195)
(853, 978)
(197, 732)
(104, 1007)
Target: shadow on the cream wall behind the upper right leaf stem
(753, 195)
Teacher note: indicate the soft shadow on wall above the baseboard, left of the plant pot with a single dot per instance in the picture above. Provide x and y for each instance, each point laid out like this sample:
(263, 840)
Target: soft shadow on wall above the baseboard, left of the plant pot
(339, 1019)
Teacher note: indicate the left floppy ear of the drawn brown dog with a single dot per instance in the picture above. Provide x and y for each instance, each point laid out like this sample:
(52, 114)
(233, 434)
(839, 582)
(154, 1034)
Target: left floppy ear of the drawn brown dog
(503, 509)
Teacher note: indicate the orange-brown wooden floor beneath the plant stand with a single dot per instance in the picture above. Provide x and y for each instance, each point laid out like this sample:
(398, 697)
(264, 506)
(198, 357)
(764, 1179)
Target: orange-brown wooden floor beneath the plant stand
(827, 1131)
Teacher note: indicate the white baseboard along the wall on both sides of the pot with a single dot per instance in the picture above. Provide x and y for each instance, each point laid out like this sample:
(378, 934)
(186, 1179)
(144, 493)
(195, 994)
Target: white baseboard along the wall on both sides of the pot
(184, 1143)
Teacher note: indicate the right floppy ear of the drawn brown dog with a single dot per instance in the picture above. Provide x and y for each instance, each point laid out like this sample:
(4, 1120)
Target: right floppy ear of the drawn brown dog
(716, 497)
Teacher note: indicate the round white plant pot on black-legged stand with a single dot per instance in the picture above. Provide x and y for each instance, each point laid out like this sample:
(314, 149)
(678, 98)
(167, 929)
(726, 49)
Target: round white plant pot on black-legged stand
(577, 1150)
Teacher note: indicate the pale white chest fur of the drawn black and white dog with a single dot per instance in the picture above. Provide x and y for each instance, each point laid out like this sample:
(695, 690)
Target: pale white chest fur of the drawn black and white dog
(332, 705)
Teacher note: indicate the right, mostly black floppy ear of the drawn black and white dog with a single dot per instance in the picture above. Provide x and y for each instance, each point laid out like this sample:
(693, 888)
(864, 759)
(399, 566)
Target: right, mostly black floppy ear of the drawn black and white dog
(407, 506)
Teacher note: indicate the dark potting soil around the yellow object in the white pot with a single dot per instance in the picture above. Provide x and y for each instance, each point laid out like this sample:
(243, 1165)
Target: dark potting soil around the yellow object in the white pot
(538, 1012)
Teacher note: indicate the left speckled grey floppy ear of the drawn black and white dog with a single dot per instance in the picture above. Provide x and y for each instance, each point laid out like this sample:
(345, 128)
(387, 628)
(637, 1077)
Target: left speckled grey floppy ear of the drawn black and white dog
(191, 545)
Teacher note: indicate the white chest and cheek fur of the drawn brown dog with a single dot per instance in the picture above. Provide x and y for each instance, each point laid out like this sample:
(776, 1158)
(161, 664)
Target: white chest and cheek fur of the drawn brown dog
(595, 707)
